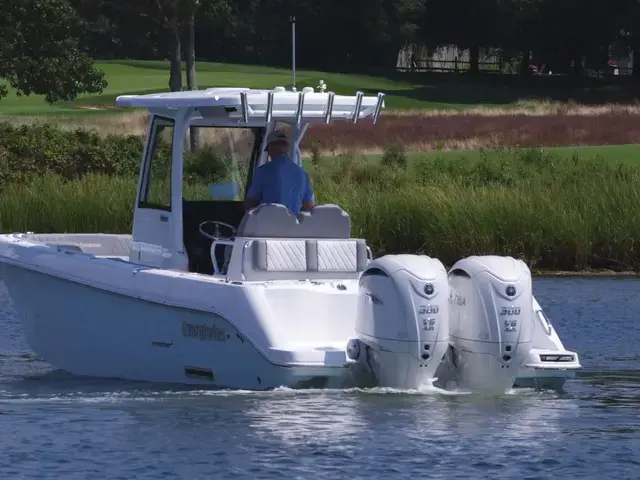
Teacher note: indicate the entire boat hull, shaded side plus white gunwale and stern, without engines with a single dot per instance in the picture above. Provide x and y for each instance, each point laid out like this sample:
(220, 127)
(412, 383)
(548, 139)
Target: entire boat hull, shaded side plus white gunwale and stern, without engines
(109, 318)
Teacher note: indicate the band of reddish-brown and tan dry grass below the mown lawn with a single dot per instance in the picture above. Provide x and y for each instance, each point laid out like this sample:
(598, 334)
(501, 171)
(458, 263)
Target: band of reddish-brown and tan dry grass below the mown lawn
(421, 131)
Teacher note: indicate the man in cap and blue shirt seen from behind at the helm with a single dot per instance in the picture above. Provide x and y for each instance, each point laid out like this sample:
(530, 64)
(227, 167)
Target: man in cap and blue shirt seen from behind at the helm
(281, 180)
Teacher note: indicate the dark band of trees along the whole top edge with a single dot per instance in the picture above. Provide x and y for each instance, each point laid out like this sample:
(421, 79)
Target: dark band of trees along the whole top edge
(47, 46)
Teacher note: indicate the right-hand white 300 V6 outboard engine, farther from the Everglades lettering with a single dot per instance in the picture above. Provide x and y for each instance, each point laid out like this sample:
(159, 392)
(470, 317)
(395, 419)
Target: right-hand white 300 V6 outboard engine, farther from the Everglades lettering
(491, 325)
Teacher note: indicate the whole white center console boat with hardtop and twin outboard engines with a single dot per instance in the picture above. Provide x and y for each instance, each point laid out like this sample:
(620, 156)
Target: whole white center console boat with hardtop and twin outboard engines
(280, 300)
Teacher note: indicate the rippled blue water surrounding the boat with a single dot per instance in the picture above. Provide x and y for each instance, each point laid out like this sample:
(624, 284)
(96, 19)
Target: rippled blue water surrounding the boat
(55, 426)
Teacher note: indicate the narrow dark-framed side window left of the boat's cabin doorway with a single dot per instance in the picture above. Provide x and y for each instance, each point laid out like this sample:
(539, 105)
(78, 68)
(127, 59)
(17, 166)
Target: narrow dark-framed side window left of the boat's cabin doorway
(156, 186)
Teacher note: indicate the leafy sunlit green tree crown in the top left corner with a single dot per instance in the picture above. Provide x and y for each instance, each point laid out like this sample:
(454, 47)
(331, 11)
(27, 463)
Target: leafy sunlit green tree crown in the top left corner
(40, 51)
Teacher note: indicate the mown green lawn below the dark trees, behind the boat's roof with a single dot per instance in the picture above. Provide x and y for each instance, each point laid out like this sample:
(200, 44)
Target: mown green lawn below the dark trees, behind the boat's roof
(422, 92)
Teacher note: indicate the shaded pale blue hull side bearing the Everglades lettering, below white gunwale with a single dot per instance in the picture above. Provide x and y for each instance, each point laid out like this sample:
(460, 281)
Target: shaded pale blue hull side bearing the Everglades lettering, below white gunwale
(88, 331)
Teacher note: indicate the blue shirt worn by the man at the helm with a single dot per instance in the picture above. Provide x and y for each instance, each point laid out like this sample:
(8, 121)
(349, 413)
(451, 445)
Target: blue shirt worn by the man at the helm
(281, 181)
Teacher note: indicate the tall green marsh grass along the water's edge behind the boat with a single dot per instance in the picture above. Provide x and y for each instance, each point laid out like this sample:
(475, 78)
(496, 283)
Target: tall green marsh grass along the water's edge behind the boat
(555, 213)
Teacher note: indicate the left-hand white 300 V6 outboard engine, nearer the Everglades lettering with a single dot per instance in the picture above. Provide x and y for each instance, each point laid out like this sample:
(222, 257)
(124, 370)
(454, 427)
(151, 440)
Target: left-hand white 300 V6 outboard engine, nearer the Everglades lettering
(402, 321)
